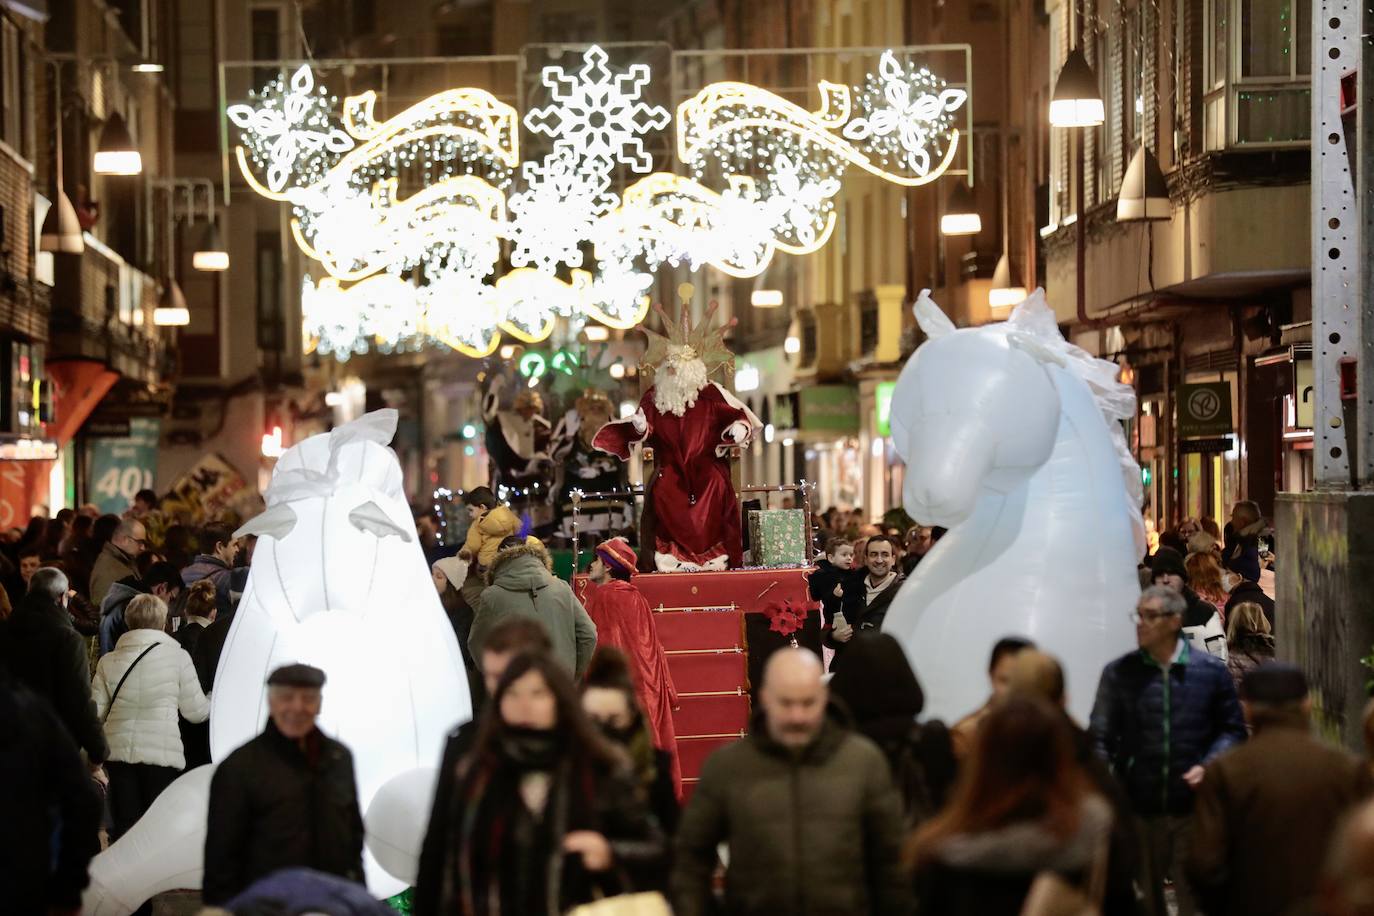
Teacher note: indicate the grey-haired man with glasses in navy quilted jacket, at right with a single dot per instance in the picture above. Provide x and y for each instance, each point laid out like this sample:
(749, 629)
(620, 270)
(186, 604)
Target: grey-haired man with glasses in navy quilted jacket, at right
(1162, 715)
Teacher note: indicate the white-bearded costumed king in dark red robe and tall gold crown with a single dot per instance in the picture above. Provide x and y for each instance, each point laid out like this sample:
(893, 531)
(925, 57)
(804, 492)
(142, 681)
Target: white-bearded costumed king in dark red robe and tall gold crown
(692, 517)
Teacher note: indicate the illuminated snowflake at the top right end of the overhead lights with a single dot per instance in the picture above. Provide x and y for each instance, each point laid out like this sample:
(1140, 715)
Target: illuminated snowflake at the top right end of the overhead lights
(910, 112)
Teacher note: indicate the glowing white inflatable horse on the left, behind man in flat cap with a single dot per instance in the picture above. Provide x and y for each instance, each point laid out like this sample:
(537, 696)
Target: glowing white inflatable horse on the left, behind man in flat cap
(339, 582)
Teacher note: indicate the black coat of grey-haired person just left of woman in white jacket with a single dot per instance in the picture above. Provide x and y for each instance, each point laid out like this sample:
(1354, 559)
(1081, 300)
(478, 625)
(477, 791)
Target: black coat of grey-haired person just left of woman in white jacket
(50, 657)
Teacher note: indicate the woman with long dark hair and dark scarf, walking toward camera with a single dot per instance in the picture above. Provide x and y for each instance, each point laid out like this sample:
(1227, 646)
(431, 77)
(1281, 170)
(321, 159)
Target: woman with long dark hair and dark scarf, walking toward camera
(545, 815)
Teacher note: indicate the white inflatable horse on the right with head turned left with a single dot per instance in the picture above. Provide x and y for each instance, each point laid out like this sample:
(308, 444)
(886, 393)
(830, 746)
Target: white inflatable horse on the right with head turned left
(1012, 440)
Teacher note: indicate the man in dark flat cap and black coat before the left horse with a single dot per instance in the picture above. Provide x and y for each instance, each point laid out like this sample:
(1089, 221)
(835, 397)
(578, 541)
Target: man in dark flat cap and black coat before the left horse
(288, 799)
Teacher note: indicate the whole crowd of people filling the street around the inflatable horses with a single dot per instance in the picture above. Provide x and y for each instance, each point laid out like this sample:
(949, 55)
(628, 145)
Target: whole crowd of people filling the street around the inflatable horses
(1199, 783)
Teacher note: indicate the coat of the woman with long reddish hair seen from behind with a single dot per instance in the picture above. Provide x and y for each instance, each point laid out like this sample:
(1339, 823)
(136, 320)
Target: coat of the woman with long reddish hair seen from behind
(991, 873)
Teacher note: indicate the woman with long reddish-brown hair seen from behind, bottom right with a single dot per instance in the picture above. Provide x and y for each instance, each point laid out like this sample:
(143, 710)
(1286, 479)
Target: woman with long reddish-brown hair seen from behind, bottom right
(1023, 808)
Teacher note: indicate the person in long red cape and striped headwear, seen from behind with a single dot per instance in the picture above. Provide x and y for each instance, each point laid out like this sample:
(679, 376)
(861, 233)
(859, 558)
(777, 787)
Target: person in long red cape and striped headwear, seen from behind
(626, 621)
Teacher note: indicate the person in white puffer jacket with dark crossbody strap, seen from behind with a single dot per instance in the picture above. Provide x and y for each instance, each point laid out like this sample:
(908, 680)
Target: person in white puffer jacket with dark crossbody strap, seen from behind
(141, 720)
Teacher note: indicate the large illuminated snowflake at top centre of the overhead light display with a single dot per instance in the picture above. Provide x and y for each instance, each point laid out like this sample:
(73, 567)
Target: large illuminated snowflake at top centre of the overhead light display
(597, 115)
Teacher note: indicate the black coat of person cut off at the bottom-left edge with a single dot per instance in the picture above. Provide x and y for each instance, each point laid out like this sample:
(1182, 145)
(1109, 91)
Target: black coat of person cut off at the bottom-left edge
(52, 808)
